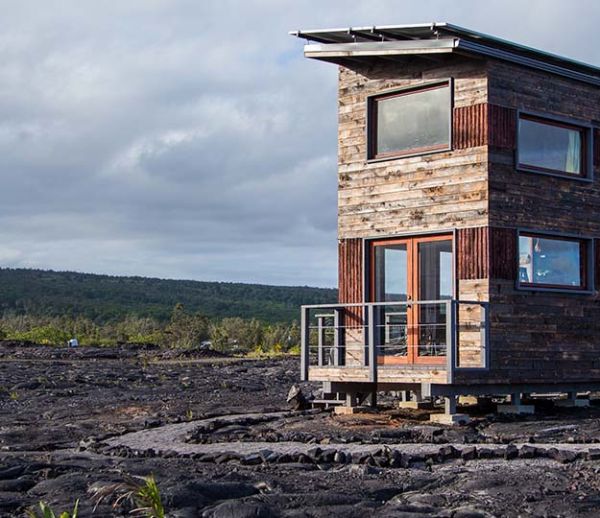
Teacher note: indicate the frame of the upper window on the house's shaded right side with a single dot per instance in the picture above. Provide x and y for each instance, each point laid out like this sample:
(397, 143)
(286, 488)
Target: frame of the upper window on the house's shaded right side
(587, 135)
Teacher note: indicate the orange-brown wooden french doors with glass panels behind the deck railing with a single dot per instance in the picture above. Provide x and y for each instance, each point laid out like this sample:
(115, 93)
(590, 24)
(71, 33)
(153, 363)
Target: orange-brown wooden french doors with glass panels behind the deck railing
(411, 270)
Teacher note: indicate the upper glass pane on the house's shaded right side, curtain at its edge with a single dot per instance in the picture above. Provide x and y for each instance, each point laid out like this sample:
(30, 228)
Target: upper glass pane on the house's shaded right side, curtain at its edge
(551, 147)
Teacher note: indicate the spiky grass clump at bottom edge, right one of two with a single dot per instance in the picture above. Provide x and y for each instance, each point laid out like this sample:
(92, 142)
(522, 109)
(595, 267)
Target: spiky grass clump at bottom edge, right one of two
(143, 492)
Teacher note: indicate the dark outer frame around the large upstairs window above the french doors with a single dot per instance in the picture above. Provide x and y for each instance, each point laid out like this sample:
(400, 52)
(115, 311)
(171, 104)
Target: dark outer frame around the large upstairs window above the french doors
(371, 120)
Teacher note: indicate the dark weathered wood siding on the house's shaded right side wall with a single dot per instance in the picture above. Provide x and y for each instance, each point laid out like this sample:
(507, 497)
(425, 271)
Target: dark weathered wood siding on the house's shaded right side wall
(539, 336)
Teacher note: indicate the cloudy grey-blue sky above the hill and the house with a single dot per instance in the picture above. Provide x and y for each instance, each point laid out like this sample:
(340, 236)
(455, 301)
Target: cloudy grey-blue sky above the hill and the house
(190, 139)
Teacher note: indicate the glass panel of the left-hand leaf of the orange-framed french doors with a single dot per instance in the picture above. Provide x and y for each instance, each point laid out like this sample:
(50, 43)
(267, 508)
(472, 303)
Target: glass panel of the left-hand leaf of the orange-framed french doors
(391, 285)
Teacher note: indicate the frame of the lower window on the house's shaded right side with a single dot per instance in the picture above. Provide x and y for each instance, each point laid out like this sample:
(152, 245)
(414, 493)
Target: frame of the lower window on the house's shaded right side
(586, 263)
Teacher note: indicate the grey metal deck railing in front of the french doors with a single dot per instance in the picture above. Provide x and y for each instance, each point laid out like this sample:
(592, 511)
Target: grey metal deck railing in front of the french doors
(444, 333)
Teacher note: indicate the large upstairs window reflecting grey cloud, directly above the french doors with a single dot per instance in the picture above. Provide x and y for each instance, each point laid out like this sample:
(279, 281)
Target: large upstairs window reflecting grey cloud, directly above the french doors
(410, 121)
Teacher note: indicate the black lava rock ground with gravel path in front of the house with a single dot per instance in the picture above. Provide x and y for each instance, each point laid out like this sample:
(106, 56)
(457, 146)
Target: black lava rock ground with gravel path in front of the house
(221, 441)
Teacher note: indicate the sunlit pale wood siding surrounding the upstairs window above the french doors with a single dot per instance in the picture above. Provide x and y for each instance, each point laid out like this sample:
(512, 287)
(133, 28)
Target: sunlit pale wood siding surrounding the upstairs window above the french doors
(437, 191)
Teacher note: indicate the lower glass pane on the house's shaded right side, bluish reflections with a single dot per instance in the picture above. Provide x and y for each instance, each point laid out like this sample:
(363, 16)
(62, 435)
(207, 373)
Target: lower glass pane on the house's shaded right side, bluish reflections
(548, 261)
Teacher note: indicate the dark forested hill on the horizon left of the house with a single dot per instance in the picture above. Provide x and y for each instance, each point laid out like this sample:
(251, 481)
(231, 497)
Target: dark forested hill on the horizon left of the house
(105, 298)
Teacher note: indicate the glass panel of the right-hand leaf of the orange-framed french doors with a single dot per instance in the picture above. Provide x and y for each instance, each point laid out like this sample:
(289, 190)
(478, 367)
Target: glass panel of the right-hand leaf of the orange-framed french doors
(435, 284)
